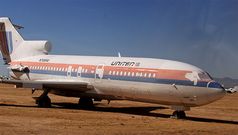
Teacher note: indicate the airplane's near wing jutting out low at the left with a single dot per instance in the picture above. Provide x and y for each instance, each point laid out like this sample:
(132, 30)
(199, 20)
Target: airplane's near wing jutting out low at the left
(51, 84)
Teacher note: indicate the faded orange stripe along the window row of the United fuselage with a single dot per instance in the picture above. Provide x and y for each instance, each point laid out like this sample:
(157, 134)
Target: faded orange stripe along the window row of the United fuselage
(160, 73)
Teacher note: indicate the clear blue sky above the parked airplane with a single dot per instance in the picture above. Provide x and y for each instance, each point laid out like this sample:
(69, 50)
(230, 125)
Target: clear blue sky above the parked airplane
(199, 32)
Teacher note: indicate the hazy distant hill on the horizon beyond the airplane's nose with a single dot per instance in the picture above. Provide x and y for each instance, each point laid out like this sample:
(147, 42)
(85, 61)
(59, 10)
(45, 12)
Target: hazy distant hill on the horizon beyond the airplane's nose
(227, 82)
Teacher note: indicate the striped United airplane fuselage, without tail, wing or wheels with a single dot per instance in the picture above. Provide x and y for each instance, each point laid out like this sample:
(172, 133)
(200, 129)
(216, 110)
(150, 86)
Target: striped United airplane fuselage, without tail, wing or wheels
(138, 79)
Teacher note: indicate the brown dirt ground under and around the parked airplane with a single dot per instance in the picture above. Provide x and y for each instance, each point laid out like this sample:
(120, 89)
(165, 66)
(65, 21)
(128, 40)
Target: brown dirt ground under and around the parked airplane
(19, 115)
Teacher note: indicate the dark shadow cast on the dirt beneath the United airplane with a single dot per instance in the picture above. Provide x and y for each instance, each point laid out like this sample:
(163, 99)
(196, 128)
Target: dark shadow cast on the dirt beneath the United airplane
(142, 111)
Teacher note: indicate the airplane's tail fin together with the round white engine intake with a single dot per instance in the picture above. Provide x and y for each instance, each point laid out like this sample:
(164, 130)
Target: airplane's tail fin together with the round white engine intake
(14, 47)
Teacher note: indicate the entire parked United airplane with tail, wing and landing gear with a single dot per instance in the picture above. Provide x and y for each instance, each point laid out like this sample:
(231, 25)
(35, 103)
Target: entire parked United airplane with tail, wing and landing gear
(95, 78)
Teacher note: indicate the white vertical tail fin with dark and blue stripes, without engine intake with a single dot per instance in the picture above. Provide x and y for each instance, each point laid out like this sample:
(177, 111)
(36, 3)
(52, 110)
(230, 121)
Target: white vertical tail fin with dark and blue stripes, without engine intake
(9, 38)
